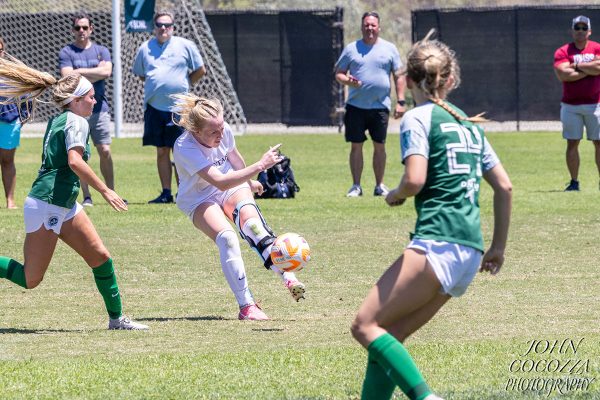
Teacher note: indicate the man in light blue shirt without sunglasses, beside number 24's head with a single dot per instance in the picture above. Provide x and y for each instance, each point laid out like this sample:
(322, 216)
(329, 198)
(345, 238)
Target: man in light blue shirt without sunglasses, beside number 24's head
(365, 67)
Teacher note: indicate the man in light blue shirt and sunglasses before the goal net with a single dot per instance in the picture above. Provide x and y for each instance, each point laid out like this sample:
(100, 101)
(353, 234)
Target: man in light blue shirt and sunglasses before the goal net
(168, 65)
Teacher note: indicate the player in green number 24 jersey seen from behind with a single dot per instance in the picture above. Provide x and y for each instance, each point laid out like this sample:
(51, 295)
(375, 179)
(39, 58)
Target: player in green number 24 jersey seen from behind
(445, 156)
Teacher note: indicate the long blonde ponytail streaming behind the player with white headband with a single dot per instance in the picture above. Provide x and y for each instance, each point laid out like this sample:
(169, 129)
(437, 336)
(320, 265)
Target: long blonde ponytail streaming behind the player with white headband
(20, 84)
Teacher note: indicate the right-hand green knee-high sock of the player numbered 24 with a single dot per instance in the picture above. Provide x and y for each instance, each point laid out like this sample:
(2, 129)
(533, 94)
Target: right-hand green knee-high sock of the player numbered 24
(391, 355)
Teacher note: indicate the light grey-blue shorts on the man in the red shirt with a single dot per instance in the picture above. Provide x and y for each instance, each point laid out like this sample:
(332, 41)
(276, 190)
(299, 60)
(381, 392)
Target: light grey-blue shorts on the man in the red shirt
(574, 118)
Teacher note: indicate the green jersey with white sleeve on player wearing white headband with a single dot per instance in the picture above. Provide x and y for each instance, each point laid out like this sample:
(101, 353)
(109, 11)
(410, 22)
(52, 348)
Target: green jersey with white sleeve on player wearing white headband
(56, 183)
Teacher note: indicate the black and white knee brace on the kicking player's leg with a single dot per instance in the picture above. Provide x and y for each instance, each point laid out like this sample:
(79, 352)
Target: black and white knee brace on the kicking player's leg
(256, 232)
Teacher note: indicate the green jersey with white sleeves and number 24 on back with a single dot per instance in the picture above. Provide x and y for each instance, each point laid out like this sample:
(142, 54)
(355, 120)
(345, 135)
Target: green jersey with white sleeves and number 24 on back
(458, 153)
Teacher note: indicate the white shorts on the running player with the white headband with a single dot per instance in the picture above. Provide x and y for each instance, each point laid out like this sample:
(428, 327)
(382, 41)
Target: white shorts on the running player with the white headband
(37, 213)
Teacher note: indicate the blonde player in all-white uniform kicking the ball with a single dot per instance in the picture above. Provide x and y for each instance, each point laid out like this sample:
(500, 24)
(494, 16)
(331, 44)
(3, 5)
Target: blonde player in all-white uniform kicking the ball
(216, 188)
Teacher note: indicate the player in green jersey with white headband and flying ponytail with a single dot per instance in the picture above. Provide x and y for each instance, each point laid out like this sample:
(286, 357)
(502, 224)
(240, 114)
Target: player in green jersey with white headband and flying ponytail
(51, 210)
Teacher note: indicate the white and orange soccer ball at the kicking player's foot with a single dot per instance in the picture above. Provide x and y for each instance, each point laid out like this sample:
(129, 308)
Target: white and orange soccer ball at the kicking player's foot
(290, 252)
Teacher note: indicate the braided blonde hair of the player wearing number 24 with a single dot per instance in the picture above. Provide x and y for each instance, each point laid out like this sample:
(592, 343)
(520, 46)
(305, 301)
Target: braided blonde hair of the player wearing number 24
(432, 65)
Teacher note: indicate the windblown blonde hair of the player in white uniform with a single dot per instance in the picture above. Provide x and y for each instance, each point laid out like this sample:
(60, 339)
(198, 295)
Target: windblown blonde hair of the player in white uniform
(194, 111)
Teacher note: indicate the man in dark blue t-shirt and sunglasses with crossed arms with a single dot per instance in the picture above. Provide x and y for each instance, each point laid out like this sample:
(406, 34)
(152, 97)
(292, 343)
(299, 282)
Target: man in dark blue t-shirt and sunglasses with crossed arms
(92, 61)
